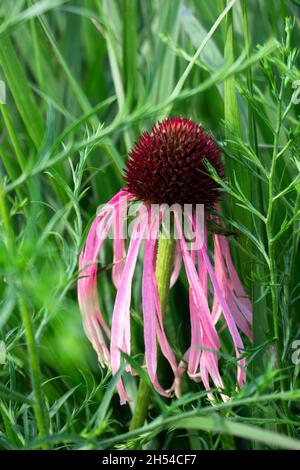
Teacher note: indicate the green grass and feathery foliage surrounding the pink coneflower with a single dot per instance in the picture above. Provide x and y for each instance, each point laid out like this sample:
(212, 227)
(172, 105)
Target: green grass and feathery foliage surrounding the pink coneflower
(83, 79)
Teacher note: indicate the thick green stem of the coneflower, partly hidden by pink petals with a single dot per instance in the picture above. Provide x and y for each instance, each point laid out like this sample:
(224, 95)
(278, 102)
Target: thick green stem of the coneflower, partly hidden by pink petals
(164, 267)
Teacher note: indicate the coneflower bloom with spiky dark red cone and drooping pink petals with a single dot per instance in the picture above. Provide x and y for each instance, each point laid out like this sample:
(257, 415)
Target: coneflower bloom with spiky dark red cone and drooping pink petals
(166, 167)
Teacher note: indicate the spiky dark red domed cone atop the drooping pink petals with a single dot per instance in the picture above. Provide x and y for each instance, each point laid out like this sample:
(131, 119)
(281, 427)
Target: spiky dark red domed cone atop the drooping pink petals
(167, 166)
